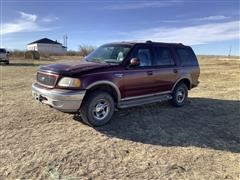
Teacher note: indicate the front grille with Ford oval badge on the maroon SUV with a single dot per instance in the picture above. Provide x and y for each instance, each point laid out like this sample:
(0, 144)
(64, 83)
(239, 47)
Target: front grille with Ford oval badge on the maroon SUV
(47, 79)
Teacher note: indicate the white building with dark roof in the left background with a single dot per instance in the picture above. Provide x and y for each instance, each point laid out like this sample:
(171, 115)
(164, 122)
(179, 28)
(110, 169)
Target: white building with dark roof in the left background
(46, 45)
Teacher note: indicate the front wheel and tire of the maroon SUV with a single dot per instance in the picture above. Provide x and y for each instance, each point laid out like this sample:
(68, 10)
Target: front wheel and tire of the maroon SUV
(97, 108)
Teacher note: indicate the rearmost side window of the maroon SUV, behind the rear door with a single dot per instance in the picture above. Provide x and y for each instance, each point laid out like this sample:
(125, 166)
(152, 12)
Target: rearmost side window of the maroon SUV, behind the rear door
(187, 57)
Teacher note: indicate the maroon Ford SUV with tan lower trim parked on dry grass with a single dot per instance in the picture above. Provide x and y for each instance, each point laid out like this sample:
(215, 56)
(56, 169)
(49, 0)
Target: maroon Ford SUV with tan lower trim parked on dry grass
(118, 75)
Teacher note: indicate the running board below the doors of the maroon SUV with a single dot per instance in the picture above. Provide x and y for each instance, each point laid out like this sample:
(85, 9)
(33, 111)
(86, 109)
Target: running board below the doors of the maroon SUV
(145, 100)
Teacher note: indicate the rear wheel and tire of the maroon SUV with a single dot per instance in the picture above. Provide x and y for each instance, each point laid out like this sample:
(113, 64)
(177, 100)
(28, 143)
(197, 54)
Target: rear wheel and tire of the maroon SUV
(180, 95)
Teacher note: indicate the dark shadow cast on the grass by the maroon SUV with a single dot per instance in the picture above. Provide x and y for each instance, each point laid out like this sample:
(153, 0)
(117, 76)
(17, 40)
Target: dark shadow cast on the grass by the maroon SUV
(203, 122)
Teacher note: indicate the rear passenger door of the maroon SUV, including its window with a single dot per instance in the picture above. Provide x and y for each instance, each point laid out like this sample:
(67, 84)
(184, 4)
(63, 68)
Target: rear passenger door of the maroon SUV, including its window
(166, 69)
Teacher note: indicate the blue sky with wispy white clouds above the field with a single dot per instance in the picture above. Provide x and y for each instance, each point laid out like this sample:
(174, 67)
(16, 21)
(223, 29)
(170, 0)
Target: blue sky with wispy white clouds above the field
(210, 27)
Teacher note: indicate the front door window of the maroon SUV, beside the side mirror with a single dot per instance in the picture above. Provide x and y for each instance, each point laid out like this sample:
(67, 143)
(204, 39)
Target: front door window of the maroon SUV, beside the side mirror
(144, 55)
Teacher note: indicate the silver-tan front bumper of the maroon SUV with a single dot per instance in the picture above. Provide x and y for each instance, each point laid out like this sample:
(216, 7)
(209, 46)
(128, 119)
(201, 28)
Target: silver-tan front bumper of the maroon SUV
(60, 99)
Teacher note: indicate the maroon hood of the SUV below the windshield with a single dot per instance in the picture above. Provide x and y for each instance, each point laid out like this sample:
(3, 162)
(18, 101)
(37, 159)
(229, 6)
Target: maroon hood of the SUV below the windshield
(72, 67)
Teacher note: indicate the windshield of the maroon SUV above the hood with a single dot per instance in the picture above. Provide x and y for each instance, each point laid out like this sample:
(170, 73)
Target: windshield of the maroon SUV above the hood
(109, 53)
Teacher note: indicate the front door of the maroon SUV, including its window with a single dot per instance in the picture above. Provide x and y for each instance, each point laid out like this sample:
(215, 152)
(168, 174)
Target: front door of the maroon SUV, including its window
(140, 80)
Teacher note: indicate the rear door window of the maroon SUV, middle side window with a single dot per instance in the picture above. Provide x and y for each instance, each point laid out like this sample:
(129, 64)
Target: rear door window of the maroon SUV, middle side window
(163, 57)
